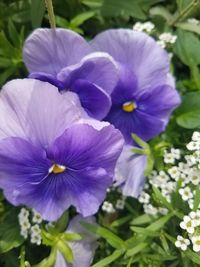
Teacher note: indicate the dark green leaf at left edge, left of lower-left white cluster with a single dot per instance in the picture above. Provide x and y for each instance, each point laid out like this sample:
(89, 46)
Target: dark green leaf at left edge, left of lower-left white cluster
(10, 232)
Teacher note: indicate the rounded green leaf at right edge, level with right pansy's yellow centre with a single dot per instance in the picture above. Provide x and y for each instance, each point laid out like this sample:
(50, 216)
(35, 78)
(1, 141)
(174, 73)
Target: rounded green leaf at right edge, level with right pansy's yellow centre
(189, 111)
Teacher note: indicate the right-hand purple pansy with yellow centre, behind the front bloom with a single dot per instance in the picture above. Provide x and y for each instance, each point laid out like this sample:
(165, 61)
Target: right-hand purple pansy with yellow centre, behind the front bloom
(145, 96)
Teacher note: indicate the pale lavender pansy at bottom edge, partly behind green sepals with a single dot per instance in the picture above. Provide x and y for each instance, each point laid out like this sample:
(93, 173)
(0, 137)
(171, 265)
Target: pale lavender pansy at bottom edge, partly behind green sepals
(83, 250)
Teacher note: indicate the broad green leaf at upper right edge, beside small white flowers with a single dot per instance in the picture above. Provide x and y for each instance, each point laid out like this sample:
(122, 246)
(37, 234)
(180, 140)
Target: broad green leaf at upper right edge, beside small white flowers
(187, 48)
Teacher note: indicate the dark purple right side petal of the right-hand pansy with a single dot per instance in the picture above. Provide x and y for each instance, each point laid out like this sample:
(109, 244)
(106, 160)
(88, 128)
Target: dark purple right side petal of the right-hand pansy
(159, 102)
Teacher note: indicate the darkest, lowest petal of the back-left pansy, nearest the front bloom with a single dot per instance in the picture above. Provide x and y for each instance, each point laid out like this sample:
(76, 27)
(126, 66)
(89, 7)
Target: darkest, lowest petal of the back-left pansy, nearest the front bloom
(94, 100)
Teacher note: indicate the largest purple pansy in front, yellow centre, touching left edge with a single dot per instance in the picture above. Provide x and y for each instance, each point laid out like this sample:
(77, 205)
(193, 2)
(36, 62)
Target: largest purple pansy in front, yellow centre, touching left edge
(49, 160)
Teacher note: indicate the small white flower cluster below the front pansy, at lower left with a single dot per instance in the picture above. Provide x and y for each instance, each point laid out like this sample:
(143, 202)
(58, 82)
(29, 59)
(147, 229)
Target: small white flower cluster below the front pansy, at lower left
(31, 227)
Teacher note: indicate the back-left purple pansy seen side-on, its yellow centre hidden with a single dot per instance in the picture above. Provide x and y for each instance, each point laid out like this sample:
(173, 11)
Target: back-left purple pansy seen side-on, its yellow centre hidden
(64, 59)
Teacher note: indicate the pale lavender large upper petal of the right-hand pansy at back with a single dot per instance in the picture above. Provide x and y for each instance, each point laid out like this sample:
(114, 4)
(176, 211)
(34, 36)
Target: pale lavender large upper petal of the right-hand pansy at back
(138, 51)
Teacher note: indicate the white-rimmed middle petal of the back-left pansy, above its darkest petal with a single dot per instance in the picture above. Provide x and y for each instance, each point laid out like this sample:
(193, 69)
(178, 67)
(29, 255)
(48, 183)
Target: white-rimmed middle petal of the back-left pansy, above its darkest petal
(98, 68)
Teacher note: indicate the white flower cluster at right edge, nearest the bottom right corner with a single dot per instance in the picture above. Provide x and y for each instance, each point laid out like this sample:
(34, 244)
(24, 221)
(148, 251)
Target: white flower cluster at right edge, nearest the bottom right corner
(190, 223)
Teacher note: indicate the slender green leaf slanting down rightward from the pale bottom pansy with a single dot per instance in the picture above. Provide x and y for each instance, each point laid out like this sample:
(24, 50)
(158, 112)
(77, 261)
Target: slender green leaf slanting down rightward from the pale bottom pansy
(111, 238)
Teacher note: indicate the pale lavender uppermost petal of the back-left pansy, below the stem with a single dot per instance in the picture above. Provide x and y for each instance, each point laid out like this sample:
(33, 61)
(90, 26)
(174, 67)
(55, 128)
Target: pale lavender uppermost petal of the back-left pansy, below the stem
(50, 50)
